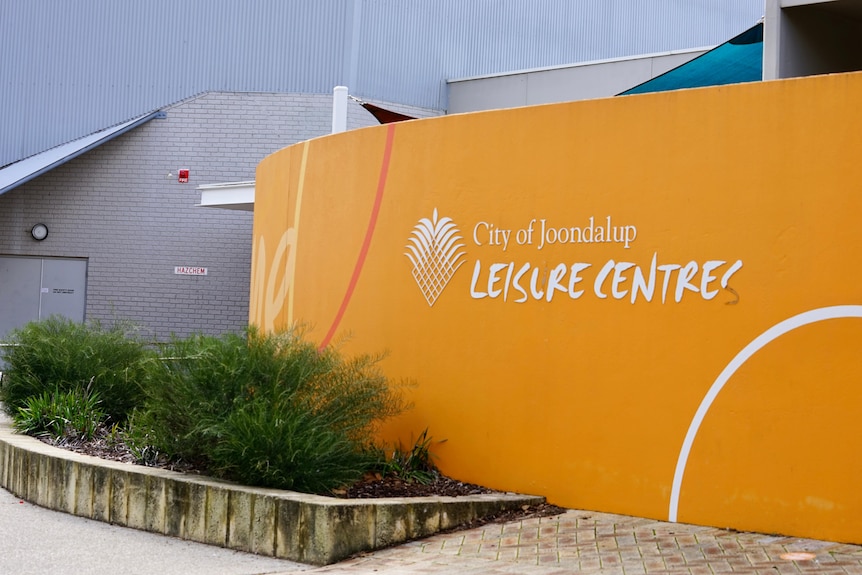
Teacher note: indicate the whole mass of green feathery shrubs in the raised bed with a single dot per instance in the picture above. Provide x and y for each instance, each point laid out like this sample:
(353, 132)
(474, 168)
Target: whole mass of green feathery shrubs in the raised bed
(262, 409)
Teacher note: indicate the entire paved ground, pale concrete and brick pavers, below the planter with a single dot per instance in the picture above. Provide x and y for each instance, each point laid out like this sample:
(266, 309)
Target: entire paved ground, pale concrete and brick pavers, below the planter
(38, 541)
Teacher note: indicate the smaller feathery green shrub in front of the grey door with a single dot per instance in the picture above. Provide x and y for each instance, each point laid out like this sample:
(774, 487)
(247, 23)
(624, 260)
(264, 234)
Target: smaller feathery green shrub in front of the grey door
(58, 354)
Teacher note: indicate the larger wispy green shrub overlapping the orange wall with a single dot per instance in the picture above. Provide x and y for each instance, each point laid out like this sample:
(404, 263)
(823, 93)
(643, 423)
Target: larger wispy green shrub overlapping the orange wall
(267, 410)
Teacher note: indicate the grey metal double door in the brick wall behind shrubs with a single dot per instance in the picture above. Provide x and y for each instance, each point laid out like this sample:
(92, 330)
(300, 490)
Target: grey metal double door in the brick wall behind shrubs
(36, 288)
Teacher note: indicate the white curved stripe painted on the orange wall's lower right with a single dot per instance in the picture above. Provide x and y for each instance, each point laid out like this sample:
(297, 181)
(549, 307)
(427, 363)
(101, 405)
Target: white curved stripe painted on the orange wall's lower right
(769, 335)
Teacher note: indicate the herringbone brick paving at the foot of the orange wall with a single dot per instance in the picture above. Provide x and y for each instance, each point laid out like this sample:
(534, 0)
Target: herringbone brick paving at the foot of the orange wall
(589, 542)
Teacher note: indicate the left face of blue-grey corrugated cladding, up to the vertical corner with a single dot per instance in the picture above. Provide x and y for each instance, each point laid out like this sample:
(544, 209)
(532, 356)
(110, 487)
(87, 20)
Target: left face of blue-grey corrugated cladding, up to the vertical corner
(70, 68)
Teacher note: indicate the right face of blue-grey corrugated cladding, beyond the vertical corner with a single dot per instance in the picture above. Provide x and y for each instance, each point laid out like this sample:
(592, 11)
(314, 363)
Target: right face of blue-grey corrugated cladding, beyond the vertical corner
(403, 40)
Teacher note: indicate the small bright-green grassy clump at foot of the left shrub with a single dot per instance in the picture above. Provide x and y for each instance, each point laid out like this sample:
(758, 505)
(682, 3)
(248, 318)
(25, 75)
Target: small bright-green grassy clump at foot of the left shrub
(60, 415)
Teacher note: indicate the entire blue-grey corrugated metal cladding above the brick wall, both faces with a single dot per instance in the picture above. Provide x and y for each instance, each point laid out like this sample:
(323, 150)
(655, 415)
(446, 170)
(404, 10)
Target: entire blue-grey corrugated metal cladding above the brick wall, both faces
(69, 68)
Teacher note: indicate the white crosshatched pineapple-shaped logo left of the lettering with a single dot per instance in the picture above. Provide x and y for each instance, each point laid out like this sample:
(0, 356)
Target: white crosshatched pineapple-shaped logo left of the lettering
(435, 254)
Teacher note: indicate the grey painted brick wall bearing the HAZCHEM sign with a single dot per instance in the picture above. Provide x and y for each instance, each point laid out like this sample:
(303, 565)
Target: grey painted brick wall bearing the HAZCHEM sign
(117, 207)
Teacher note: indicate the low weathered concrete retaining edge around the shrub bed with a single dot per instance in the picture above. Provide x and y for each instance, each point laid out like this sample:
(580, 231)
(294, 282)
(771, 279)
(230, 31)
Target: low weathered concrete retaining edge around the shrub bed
(300, 527)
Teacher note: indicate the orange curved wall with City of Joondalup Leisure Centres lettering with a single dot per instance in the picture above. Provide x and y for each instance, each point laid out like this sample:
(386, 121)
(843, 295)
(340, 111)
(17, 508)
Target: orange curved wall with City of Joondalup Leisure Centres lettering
(638, 312)
